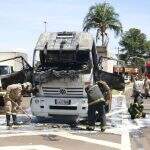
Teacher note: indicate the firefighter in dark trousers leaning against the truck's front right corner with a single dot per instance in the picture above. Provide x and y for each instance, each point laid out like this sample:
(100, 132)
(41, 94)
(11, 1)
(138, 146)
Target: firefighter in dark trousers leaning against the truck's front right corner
(97, 97)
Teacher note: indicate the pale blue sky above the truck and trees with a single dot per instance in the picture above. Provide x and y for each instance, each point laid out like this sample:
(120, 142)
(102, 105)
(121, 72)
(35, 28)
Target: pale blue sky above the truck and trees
(21, 21)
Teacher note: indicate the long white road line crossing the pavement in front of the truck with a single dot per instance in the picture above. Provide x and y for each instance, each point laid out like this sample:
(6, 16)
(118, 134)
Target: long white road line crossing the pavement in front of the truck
(69, 136)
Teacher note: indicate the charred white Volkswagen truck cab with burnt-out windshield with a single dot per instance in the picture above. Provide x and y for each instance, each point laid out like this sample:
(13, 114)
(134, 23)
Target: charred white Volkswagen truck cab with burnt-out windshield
(64, 64)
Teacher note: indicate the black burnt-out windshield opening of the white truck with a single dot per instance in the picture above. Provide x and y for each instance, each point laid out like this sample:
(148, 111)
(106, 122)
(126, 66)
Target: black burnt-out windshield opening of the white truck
(65, 60)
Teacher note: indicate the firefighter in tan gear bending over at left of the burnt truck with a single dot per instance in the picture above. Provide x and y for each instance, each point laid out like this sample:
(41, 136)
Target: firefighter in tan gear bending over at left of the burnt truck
(13, 99)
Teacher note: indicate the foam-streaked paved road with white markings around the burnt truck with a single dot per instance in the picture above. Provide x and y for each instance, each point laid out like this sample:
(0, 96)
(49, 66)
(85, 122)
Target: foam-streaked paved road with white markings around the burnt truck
(121, 133)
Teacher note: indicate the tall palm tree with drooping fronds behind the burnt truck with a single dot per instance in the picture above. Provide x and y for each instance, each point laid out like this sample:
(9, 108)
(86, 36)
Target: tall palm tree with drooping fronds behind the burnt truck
(102, 17)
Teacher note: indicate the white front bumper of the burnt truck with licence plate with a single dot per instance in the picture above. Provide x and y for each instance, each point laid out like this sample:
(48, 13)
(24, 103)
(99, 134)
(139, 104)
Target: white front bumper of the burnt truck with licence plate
(47, 106)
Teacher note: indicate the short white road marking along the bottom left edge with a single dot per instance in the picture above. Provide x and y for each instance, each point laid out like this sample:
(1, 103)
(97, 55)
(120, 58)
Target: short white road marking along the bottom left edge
(28, 147)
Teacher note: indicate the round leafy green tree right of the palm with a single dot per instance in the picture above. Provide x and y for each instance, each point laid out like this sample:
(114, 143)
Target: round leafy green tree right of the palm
(133, 44)
